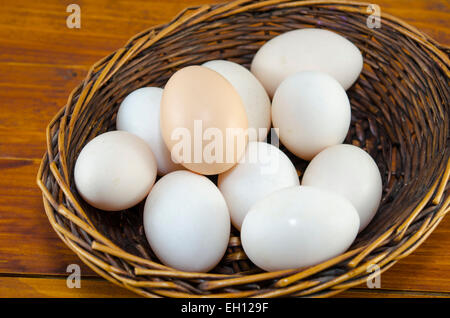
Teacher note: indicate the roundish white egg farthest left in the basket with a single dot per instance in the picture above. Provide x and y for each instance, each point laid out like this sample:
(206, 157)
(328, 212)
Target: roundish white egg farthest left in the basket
(115, 171)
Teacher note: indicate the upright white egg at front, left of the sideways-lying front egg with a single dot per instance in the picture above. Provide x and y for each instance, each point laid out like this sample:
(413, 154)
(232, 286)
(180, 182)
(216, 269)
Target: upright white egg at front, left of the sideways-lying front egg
(186, 222)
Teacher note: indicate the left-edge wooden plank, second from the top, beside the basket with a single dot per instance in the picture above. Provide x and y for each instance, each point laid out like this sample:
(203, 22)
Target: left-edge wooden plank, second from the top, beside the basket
(30, 95)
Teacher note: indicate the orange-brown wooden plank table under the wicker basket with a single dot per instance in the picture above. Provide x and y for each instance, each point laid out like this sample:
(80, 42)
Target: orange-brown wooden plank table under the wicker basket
(41, 61)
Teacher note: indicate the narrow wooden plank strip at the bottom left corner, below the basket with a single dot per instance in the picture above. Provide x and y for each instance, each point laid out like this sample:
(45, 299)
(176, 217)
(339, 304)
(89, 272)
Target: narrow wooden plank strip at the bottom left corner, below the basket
(42, 287)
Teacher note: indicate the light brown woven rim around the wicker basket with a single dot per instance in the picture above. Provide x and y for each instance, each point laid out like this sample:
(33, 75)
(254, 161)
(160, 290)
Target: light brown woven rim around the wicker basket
(108, 66)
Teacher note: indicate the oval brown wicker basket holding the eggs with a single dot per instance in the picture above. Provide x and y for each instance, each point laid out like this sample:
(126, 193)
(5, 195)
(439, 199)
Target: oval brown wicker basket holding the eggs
(400, 115)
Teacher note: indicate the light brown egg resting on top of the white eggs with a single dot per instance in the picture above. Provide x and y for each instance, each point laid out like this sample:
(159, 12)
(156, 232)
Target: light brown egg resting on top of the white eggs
(203, 120)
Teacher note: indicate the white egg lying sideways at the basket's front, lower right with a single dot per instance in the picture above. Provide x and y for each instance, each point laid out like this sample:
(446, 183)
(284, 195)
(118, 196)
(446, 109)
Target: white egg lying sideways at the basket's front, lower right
(297, 227)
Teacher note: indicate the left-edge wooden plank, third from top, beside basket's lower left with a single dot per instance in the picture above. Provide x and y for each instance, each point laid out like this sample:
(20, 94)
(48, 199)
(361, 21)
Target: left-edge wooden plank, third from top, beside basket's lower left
(28, 244)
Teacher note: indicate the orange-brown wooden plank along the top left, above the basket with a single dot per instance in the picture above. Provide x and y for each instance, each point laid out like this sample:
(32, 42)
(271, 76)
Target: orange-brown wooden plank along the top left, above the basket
(36, 31)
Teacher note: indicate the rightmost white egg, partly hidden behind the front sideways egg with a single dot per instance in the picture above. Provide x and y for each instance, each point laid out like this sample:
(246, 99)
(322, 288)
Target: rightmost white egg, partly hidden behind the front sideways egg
(350, 172)
